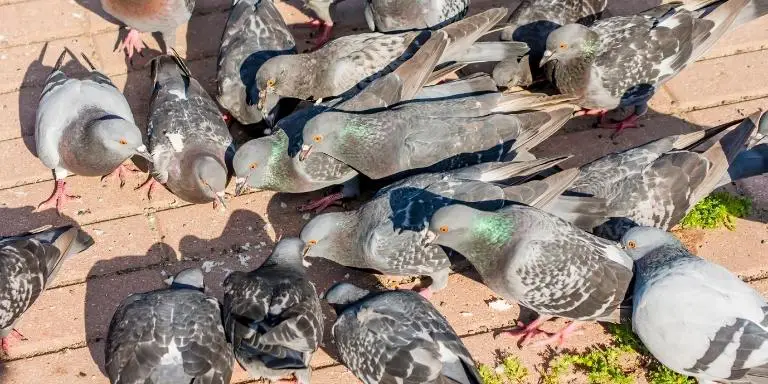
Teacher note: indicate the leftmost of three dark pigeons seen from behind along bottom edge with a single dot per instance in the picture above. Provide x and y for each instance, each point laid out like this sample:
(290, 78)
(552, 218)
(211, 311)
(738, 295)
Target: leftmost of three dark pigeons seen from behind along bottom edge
(171, 335)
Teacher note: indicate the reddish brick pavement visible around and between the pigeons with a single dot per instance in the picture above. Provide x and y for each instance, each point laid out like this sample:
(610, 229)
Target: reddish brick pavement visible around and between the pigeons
(138, 241)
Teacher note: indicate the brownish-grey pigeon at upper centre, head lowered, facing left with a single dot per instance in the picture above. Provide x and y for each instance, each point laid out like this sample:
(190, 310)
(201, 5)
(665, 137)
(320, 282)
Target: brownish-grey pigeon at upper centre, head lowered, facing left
(345, 62)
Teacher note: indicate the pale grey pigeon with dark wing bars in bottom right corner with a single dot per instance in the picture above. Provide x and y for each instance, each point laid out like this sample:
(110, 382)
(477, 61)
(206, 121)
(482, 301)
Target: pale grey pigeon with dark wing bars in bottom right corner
(719, 330)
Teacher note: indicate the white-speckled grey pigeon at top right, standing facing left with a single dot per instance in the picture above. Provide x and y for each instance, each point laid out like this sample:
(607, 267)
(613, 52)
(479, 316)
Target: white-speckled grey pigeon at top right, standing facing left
(620, 61)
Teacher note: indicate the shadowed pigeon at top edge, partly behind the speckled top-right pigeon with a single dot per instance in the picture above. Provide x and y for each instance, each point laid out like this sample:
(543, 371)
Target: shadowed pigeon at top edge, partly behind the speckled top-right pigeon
(533, 20)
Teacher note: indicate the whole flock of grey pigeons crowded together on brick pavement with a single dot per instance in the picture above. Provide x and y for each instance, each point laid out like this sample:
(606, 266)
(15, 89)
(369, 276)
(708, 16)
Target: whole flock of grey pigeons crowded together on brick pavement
(580, 244)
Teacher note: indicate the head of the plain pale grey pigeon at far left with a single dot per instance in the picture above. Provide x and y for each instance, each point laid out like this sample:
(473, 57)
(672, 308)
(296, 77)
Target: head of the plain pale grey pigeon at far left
(119, 137)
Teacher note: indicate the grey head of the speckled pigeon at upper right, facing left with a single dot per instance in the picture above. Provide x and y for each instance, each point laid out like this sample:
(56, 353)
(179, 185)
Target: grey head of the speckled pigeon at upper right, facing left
(569, 42)
